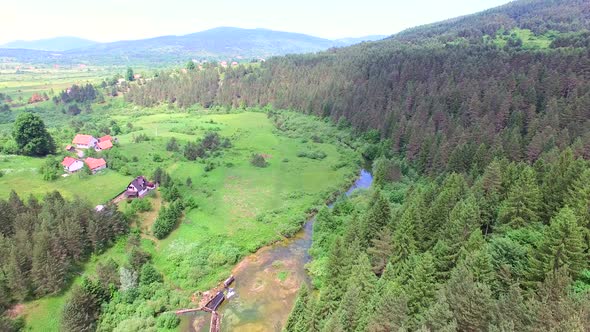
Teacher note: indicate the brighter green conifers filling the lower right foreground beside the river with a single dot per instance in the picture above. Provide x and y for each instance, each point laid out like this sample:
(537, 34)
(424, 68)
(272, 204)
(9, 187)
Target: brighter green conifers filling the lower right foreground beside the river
(506, 251)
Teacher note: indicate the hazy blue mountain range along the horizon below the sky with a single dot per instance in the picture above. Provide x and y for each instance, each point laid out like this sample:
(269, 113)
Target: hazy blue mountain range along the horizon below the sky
(214, 44)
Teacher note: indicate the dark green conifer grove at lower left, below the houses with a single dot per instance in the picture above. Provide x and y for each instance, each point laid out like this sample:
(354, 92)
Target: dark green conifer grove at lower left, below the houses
(43, 242)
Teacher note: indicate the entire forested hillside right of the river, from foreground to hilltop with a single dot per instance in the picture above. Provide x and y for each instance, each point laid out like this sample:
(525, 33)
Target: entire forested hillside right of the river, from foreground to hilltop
(480, 217)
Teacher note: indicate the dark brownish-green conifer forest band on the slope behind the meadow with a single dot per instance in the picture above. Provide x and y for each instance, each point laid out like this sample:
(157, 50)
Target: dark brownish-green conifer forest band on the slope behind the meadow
(434, 103)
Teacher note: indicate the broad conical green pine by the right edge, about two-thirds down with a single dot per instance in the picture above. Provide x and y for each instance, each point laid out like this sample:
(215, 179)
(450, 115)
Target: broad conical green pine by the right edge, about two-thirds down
(562, 246)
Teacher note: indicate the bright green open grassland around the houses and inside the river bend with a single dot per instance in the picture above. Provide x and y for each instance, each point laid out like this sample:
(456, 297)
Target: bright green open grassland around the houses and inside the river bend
(240, 207)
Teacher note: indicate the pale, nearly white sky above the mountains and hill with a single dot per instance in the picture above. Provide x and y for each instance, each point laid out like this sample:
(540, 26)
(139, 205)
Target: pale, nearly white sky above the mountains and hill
(111, 20)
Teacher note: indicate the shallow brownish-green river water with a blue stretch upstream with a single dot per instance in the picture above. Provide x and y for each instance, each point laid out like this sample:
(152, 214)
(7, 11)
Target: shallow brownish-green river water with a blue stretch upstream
(267, 282)
